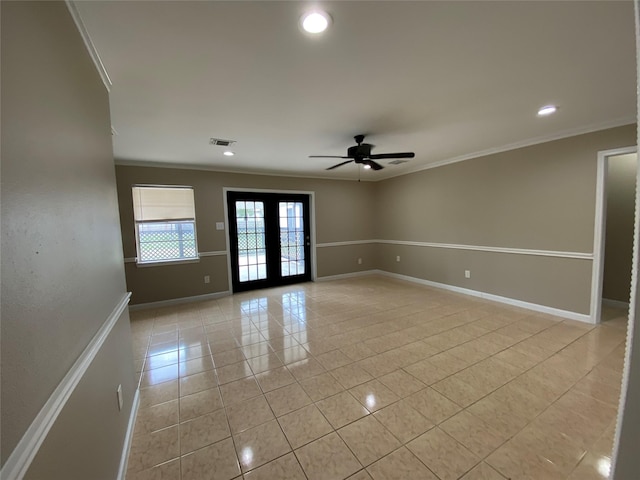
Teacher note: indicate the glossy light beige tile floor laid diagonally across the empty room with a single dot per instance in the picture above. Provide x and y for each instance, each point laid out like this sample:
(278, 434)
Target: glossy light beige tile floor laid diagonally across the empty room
(372, 378)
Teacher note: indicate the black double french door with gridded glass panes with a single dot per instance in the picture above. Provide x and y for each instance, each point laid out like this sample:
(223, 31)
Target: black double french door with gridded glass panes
(269, 239)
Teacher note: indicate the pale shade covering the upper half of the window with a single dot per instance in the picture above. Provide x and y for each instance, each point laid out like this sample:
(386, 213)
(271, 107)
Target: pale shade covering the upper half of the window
(163, 203)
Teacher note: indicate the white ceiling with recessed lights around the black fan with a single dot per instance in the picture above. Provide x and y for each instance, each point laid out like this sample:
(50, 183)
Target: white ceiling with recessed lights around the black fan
(447, 80)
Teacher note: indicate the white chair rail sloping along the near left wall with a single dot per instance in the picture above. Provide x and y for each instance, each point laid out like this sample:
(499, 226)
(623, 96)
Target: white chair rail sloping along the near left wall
(20, 459)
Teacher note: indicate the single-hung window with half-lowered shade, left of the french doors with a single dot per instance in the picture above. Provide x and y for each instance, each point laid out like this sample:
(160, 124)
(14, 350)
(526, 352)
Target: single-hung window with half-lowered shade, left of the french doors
(165, 223)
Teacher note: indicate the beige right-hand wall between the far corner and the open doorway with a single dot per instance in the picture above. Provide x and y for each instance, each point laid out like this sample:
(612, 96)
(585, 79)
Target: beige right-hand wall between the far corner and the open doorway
(538, 198)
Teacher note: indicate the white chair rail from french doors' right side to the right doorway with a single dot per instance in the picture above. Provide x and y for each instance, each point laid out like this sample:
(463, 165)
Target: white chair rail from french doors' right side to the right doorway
(478, 248)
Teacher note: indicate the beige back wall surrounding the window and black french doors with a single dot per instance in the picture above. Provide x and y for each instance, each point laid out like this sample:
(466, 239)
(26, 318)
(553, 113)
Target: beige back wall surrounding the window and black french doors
(343, 212)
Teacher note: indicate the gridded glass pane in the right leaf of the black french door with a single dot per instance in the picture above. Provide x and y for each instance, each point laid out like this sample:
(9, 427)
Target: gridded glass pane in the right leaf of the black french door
(291, 238)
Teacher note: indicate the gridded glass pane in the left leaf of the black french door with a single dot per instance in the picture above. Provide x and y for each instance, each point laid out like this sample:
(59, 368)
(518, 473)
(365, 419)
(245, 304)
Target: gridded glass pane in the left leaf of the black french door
(252, 261)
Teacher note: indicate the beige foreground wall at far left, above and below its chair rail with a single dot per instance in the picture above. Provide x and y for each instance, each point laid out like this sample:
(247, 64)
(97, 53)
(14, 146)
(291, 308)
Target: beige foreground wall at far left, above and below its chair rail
(62, 274)
